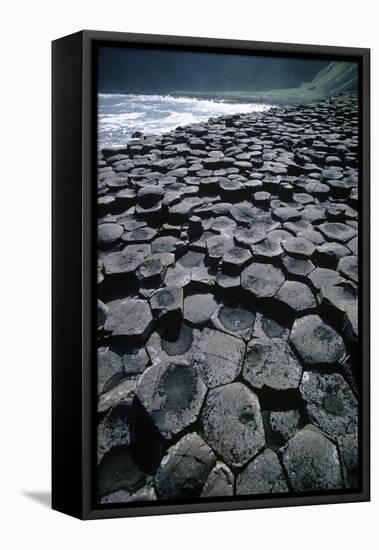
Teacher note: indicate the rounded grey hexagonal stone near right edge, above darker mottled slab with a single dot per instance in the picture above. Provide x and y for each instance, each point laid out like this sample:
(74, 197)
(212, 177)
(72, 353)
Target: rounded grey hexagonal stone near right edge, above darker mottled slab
(316, 342)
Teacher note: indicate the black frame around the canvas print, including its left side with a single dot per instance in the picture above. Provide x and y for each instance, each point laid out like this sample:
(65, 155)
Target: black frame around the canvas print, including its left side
(74, 258)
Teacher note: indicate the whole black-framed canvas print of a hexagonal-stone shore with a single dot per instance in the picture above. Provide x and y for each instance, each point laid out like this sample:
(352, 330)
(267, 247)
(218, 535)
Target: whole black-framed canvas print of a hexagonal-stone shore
(210, 274)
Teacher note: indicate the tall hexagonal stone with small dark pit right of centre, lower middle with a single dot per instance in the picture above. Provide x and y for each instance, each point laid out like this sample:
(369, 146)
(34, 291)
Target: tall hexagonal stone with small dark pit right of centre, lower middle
(232, 423)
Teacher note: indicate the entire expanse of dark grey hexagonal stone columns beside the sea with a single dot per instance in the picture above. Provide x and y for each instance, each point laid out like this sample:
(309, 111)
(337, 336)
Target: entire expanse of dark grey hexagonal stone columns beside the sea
(227, 310)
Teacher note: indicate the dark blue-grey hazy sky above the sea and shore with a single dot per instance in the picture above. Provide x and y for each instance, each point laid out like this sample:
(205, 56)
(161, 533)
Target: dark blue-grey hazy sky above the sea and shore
(152, 71)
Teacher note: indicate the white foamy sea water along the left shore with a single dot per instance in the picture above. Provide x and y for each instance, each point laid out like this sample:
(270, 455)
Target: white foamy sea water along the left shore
(120, 115)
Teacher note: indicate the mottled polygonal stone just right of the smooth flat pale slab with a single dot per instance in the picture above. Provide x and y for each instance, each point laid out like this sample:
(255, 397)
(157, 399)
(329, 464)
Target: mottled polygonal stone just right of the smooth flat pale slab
(271, 363)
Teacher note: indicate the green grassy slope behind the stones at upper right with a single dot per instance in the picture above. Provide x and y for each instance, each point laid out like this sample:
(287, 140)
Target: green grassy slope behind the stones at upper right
(336, 78)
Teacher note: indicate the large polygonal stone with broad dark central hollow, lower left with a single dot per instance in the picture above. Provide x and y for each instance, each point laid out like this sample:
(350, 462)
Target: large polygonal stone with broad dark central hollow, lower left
(172, 394)
